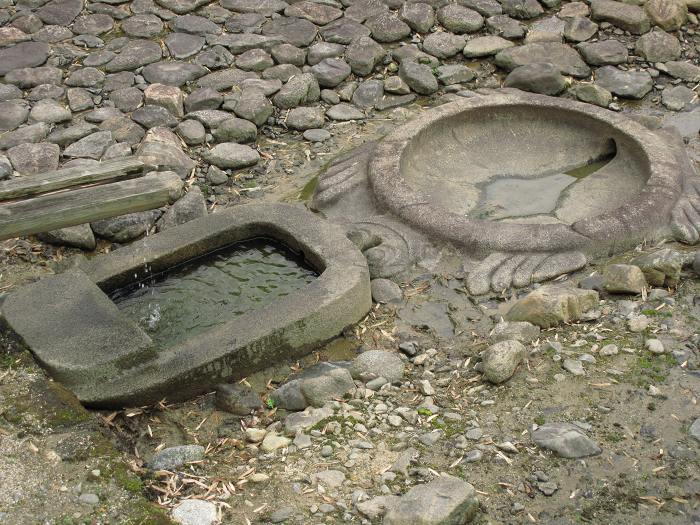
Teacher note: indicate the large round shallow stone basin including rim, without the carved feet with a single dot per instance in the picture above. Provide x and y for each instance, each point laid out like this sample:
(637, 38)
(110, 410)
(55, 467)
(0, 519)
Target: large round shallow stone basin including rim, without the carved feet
(521, 172)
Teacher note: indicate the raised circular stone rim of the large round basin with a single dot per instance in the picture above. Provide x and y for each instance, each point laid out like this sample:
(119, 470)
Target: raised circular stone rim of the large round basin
(645, 217)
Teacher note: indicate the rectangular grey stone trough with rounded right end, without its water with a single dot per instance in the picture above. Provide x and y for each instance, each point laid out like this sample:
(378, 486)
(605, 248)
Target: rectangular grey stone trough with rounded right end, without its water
(84, 341)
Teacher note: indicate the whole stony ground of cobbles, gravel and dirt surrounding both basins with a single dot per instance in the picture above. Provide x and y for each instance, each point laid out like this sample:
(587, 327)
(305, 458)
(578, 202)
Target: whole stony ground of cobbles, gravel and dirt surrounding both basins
(247, 101)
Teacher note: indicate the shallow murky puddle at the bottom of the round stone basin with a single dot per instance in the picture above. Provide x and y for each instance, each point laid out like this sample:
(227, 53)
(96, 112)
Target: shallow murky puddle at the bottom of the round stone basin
(518, 197)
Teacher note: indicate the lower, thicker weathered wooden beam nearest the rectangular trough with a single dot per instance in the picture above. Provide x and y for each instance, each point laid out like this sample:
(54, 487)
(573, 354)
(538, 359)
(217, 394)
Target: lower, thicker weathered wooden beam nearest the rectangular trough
(70, 208)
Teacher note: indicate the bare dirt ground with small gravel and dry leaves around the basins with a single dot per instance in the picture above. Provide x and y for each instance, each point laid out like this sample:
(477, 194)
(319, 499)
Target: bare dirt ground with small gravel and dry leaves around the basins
(61, 464)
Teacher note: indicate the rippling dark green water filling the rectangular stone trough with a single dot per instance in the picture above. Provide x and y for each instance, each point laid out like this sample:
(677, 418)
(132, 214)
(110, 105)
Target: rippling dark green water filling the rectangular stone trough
(199, 294)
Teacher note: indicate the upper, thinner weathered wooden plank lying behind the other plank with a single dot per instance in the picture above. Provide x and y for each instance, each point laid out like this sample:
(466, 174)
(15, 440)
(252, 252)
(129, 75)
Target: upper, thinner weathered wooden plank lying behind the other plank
(109, 171)
